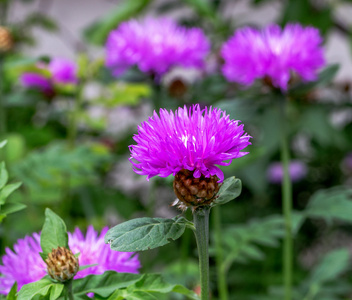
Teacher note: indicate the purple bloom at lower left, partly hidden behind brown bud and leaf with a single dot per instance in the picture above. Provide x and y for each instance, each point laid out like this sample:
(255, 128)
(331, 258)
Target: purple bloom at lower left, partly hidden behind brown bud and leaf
(25, 265)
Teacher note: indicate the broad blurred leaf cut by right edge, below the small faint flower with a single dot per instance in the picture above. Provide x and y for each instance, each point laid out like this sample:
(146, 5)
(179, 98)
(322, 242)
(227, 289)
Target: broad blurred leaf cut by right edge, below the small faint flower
(329, 204)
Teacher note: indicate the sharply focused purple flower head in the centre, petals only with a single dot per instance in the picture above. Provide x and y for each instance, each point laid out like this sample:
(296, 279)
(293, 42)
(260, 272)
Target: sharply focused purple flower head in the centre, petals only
(194, 139)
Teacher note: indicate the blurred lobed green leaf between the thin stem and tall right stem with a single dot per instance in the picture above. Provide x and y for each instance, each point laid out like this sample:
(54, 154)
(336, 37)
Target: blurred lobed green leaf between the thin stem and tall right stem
(241, 242)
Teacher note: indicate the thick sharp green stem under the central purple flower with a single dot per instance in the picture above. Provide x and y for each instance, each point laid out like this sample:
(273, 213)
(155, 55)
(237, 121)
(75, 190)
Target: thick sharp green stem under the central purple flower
(201, 223)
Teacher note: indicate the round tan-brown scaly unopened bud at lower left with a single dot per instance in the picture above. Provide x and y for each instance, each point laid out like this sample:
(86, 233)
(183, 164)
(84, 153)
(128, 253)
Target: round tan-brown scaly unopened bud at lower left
(62, 265)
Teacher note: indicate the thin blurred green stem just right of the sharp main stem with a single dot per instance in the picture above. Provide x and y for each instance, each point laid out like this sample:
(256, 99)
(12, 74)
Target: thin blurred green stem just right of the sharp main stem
(221, 272)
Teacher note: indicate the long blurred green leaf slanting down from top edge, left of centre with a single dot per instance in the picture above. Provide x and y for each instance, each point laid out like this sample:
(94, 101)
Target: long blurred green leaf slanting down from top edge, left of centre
(98, 32)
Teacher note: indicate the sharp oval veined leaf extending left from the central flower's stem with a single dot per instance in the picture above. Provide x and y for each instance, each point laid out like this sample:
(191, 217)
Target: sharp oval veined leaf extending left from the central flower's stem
(144, 233)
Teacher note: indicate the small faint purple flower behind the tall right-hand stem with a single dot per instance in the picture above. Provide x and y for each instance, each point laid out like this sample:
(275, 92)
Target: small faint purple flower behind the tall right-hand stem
(297, 169)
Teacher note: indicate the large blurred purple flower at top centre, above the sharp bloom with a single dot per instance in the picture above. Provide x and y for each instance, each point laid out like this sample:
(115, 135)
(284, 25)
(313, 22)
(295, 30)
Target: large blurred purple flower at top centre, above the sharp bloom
(155, 46)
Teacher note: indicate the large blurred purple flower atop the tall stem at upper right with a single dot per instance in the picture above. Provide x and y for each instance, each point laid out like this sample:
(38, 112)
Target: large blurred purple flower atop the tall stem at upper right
(273, 52)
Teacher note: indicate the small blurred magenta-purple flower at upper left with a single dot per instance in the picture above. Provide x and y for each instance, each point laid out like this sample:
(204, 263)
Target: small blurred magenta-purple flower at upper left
(61, 71)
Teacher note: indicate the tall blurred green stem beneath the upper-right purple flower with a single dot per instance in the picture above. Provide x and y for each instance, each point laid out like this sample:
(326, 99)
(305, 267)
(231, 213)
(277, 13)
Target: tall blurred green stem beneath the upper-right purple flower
(287, 207)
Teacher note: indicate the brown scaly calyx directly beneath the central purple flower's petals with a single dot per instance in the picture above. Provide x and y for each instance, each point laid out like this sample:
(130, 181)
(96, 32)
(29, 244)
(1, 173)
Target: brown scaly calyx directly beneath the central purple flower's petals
(194, 191)
